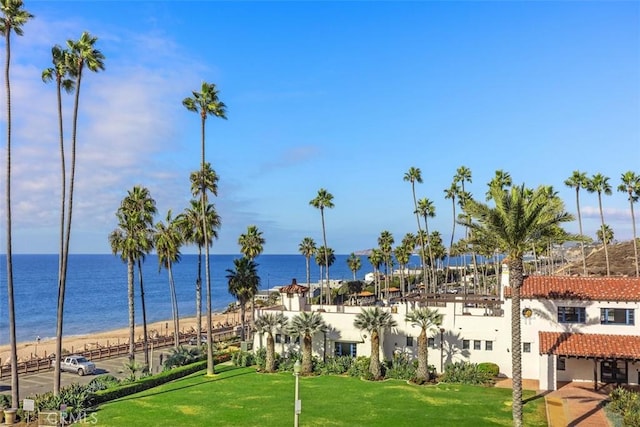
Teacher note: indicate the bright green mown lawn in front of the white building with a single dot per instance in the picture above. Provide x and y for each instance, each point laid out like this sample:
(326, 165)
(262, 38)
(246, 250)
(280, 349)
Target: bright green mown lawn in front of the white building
(242, 397)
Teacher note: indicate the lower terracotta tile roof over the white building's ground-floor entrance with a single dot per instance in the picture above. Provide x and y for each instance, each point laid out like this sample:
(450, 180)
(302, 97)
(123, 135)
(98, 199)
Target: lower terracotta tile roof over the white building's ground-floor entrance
(590, 345)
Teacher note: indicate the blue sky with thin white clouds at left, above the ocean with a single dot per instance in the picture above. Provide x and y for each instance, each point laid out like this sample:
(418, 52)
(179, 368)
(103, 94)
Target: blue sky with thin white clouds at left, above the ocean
(345, 96)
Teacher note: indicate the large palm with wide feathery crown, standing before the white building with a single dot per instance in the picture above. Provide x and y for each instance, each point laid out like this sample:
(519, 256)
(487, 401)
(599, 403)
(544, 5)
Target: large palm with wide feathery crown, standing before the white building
(517, 220)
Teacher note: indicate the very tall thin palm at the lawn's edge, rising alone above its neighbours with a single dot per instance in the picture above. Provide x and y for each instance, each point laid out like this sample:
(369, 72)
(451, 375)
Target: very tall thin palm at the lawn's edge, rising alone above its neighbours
(206, 103)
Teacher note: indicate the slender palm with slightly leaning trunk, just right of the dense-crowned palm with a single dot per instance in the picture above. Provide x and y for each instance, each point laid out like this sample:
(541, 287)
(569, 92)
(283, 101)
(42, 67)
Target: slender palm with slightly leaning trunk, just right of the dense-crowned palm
(167, 240)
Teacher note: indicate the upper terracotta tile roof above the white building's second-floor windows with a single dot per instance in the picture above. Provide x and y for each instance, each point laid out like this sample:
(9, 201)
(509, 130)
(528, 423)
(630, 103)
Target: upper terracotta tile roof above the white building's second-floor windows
(580, 288)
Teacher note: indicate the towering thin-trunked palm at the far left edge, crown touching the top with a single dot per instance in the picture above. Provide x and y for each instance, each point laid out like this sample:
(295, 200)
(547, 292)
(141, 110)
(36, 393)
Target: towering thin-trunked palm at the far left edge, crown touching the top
(13, 18)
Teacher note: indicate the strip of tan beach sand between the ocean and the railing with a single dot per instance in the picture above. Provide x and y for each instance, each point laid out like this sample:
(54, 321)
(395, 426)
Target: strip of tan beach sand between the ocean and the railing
(76, 343)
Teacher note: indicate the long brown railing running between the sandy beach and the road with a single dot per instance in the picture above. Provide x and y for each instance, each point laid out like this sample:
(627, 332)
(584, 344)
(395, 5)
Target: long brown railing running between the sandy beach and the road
(105, 352)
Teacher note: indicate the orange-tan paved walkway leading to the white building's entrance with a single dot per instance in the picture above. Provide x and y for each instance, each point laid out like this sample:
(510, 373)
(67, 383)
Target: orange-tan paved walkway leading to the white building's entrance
(573, 404)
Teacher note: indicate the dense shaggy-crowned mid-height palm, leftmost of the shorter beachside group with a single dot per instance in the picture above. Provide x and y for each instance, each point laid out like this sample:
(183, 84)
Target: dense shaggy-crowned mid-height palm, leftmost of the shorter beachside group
(130, 240)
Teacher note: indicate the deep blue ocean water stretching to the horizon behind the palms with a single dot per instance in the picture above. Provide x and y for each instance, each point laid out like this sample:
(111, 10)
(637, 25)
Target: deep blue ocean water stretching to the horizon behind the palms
(96, 294)
